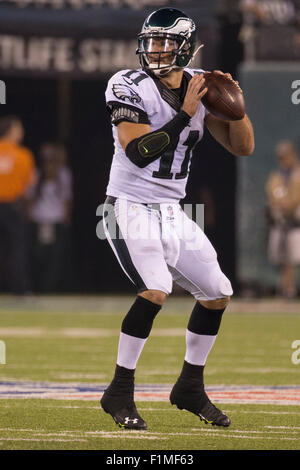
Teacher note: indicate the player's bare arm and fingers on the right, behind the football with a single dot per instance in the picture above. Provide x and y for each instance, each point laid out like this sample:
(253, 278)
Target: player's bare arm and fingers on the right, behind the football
(236, 136)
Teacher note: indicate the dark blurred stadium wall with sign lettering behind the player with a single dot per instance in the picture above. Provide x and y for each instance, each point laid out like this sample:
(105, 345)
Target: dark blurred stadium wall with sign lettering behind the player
(55, 59)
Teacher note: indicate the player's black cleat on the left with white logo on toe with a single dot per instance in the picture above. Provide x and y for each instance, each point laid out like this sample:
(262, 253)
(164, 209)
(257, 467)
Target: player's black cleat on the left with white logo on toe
(123, 411)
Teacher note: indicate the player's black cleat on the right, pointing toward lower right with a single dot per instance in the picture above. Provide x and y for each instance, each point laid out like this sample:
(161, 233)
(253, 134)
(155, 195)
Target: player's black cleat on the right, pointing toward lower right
(195, 400)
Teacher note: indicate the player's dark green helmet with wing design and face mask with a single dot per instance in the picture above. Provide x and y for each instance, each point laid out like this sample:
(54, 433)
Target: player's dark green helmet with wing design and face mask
(167, 41)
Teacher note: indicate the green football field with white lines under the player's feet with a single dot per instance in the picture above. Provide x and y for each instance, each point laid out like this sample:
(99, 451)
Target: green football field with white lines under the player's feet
(61, 352)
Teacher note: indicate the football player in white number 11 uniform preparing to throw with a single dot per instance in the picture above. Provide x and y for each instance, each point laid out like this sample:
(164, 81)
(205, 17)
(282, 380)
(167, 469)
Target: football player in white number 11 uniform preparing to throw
(157, 119)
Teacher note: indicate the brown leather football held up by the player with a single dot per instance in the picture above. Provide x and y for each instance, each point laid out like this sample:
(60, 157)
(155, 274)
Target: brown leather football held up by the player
(224, 98)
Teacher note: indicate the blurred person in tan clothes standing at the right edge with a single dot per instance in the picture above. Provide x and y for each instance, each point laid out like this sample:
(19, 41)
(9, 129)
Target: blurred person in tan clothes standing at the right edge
(283, 216)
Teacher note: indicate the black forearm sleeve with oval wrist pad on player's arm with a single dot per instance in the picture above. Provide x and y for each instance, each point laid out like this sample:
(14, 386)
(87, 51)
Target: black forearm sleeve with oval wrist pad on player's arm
(147, 148)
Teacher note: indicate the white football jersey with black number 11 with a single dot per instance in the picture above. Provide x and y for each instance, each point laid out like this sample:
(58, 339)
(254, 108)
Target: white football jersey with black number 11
(135, 94)
